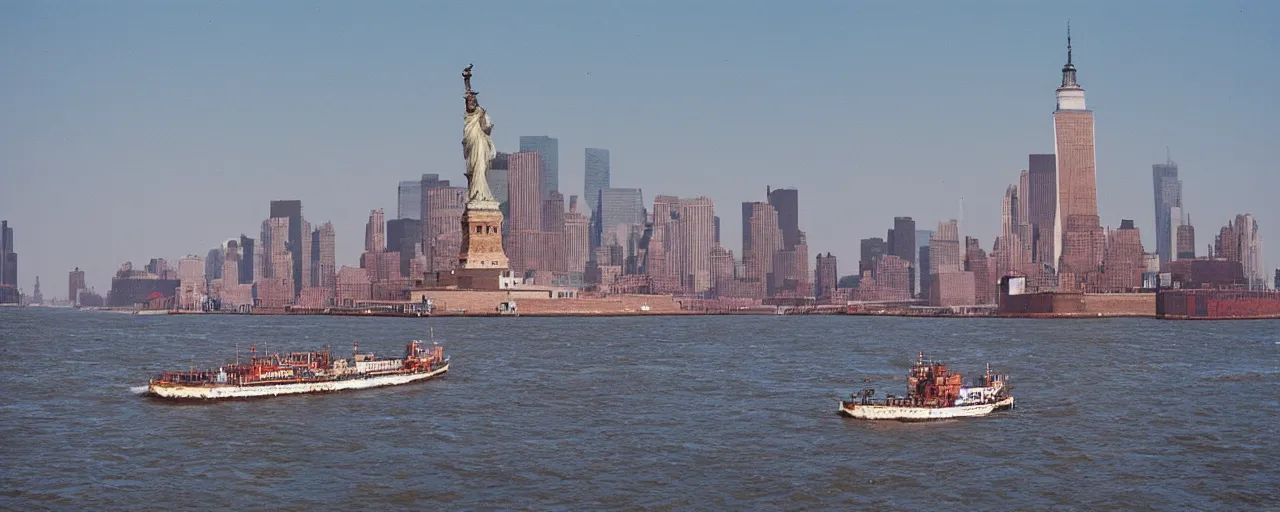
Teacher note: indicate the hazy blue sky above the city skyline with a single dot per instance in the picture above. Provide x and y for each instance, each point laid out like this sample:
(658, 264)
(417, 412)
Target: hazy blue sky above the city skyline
(140, 130)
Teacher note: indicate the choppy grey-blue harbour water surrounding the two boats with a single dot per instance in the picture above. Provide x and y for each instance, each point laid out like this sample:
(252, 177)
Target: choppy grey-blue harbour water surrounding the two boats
(664, 414)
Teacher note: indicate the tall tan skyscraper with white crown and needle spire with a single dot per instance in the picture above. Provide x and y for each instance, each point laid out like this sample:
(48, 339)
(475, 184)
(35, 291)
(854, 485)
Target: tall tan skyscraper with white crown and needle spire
(1078, 230)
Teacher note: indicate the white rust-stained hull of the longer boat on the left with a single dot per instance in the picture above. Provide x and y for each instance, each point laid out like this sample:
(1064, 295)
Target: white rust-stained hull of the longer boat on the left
(231, 391)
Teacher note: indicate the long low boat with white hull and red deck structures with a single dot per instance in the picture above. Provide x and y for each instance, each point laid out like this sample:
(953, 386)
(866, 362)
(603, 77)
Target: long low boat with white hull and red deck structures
(301, 373)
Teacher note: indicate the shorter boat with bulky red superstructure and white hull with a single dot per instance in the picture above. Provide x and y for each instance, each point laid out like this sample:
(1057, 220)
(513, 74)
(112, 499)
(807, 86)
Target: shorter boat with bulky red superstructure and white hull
(934, 394)
